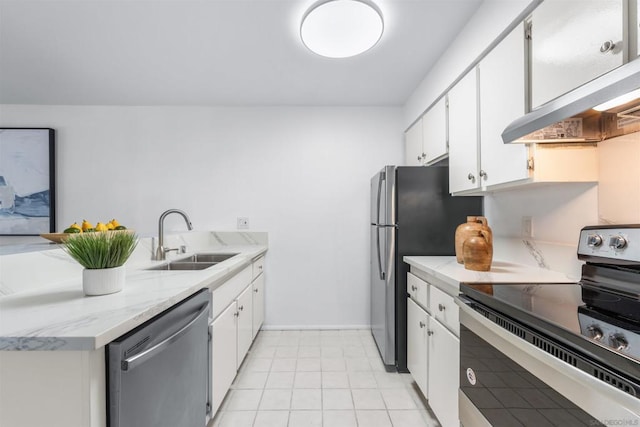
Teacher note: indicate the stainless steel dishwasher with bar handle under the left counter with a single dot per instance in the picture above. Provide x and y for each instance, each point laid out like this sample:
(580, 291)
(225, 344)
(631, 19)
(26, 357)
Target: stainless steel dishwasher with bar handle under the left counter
(158, 373)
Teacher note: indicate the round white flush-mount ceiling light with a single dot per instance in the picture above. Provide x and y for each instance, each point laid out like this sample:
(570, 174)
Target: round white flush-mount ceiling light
(341, 28)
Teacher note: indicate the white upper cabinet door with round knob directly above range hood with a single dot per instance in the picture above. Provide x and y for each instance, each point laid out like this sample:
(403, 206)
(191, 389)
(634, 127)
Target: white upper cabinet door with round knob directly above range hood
(567, 40)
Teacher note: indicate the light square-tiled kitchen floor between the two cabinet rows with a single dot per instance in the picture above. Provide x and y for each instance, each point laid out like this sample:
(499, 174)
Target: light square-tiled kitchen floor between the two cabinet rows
(320, 378)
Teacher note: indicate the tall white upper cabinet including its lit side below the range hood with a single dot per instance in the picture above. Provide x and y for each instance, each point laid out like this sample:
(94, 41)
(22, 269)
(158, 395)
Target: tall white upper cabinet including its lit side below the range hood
(481, 105)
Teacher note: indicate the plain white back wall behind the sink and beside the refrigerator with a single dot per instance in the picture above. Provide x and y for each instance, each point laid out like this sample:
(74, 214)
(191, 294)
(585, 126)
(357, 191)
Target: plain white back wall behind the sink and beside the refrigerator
(301, 174)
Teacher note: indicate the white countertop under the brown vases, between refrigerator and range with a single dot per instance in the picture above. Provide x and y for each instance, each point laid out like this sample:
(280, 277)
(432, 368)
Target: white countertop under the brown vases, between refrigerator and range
(450, 272)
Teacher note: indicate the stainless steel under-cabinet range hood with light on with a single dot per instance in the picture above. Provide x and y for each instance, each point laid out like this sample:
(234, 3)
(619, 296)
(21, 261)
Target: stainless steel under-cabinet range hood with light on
(572, 117)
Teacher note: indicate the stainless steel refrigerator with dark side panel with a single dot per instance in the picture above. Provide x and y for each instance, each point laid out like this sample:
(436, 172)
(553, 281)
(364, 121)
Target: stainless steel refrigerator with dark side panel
(412, 213)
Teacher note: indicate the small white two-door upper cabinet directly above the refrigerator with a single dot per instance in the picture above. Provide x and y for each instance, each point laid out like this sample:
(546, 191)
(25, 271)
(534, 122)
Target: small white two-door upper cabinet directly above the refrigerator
(426, 140)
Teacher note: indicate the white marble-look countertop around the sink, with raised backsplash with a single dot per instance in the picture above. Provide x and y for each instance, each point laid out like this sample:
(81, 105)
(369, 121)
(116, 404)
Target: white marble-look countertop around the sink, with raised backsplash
(43, 307)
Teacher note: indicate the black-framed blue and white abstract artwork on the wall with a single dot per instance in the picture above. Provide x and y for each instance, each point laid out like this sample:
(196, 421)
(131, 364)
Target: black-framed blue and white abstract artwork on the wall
(27, 181)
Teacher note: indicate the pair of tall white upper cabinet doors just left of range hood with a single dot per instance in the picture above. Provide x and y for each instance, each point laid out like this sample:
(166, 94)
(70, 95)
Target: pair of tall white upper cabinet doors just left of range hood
(481, 105)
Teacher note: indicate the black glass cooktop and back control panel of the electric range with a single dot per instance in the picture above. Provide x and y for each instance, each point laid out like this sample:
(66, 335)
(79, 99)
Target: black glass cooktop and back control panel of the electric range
(594, 325)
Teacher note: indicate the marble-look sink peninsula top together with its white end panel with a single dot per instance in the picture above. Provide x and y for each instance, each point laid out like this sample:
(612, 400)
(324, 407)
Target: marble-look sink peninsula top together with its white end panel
(52, 337)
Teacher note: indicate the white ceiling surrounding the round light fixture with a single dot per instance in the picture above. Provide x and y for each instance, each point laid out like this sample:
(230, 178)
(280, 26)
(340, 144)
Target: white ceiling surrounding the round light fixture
(210, 52)
